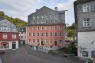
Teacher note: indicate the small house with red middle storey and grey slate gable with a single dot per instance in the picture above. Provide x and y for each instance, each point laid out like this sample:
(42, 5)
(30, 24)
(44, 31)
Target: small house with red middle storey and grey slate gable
(8, 35)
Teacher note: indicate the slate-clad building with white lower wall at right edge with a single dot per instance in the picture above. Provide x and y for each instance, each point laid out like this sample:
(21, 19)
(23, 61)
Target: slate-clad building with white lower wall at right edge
(85, 20)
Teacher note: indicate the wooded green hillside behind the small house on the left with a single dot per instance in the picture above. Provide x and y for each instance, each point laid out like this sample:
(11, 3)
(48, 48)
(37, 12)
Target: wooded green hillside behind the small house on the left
(16, 21)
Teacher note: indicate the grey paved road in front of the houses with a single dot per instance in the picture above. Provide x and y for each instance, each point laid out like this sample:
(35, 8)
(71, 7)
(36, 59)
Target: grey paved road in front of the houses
(26, 55)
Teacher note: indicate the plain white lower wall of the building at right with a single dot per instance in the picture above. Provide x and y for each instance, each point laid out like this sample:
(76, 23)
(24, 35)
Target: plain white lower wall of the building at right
(84, 40)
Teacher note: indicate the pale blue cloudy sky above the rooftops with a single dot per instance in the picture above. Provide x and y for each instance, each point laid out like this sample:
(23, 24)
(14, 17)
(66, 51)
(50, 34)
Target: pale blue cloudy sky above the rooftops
(22, 8)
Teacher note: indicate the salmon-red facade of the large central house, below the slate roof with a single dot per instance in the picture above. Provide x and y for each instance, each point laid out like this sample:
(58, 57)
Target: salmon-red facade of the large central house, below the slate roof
(42, 39)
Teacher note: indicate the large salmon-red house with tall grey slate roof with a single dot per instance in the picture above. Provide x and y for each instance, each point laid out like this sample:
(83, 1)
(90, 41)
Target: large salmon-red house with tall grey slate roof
(46, 29)
